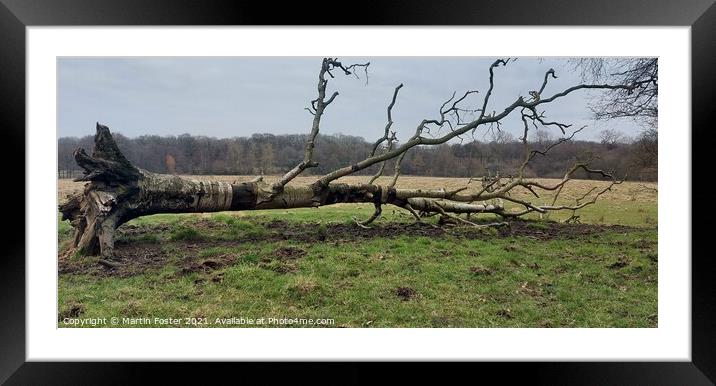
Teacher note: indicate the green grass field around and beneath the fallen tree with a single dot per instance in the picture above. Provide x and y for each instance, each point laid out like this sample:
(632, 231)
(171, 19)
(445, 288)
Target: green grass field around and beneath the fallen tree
(316, 264)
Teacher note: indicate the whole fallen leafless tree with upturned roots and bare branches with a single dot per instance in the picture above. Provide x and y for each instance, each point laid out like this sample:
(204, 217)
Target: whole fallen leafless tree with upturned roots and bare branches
(117, 191)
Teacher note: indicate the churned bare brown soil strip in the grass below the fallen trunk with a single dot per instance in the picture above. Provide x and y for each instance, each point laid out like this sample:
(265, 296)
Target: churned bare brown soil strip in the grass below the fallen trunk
(135, 257)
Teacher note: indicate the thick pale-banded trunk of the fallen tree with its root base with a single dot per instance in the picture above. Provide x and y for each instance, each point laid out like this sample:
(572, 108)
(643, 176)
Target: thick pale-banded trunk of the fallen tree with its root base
(118, 192)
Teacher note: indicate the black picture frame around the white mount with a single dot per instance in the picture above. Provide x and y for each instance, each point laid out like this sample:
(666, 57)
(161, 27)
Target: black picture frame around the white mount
(16, 15)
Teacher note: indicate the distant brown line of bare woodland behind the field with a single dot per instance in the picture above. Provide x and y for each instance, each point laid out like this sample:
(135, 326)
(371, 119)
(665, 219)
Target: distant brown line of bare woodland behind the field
(267, 154)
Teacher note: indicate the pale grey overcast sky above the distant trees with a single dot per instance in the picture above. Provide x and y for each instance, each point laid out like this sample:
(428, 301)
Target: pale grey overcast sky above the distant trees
(240, 96)
